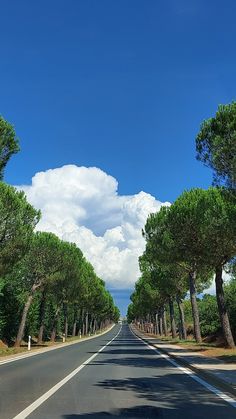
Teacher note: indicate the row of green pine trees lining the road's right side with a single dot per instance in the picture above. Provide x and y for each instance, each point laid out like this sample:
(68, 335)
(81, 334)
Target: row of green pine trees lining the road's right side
(193, 239)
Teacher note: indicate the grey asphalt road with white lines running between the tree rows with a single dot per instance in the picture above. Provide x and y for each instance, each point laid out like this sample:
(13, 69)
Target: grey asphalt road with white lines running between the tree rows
(125, 379)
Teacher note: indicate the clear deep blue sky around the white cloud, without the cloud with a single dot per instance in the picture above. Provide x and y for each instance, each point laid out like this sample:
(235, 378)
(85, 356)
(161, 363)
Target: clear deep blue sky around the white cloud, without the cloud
(119, 85)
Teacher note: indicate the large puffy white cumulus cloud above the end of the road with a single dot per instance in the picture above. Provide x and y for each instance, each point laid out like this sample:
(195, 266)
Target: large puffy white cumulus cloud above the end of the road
(82, 205)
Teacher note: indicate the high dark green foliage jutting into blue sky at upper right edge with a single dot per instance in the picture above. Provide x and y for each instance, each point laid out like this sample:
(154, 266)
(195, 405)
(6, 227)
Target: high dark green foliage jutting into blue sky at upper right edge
(216, 145)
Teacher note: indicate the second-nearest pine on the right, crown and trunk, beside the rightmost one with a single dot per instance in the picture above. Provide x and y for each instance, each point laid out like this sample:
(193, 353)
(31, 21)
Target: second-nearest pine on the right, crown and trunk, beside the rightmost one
(174, 234)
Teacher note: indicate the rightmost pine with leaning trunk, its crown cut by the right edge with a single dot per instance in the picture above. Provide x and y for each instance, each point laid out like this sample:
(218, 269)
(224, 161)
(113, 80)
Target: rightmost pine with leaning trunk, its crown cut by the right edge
(219, 222)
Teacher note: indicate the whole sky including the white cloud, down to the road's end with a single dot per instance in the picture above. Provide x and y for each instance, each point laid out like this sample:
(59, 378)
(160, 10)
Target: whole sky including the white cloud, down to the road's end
(107, 98)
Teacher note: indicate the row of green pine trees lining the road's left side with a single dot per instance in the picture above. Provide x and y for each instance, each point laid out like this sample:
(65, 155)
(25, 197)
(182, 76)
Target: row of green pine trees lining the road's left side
(46, 284)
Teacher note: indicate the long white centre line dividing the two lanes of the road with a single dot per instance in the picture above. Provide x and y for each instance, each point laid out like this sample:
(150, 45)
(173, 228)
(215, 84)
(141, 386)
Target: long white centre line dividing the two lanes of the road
(33, 406)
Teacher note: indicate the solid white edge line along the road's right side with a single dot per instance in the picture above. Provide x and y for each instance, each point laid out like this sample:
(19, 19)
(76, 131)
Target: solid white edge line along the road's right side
(191, 374)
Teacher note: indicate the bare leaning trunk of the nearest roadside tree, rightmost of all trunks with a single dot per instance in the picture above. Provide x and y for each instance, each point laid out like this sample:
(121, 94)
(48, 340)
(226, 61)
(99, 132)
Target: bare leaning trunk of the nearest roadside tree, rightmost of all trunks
(224, 319)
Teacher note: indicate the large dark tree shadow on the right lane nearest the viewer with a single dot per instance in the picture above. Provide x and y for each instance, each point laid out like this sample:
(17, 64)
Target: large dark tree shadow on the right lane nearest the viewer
(175, 395)
